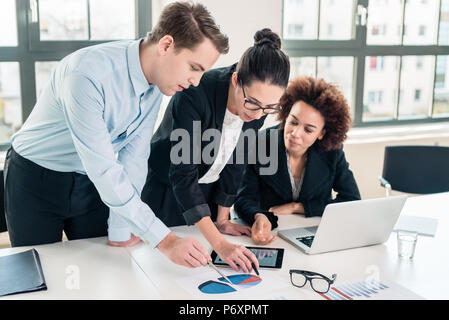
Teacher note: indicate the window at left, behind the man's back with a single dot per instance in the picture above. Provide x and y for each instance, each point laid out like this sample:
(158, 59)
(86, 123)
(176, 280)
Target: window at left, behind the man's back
(36, 34)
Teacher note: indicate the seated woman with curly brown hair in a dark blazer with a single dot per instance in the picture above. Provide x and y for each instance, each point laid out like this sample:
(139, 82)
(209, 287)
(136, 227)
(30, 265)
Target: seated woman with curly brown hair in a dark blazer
(314, 120)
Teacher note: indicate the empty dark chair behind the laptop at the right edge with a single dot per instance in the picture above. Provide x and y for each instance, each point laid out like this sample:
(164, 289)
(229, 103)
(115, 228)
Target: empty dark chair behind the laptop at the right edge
(416, 169)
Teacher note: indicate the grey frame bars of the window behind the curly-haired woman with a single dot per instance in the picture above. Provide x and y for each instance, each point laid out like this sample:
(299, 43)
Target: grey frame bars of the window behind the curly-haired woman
(359, 50)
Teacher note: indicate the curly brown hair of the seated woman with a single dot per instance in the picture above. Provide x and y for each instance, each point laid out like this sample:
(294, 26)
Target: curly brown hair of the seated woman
(325, 98)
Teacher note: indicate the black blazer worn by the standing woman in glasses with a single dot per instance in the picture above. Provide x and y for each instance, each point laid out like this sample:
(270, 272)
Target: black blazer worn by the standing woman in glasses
(207, 105)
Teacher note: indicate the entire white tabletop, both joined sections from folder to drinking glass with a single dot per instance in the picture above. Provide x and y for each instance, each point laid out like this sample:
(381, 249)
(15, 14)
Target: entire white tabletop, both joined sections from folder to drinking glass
(142, 272)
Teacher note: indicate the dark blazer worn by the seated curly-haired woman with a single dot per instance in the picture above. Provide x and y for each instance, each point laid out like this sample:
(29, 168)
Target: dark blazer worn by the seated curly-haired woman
(324, 171)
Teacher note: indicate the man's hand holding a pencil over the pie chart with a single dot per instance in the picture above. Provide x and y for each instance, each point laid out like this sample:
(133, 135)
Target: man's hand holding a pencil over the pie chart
(187, 252)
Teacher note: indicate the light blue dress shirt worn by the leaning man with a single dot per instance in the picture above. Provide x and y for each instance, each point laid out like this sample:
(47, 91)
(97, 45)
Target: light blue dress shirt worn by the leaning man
(96, 116)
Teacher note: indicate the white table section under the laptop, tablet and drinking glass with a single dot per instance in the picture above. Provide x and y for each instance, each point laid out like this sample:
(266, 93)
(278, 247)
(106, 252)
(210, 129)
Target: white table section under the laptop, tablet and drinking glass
(426, 274)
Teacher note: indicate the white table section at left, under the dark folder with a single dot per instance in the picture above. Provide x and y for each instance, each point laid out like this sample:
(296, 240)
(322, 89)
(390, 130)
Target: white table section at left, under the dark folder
(88, 269)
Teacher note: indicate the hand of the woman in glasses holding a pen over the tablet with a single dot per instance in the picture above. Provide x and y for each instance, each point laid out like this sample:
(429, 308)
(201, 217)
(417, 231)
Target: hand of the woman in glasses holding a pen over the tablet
(235, 255)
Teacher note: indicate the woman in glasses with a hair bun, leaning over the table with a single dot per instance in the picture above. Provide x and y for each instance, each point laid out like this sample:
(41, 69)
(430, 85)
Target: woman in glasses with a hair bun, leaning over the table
(189, 178)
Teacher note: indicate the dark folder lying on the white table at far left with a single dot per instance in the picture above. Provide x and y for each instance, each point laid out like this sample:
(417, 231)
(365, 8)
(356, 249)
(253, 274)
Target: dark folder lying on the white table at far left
(21, 272)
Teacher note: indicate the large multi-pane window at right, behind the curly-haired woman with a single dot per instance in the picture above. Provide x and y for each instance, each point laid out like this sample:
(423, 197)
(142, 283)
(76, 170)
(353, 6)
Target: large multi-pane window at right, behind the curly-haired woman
(391, 66)
